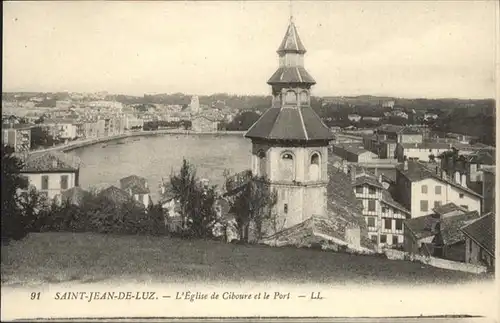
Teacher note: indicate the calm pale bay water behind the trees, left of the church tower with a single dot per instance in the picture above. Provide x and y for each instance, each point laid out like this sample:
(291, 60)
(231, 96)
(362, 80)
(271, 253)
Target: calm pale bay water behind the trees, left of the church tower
(154, 157)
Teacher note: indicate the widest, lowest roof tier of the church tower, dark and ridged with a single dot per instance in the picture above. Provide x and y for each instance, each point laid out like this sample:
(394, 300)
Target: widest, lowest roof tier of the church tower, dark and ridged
(298, 124)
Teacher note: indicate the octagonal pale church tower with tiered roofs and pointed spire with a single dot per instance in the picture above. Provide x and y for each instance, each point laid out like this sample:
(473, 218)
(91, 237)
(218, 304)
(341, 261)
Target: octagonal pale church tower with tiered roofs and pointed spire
(289, 141)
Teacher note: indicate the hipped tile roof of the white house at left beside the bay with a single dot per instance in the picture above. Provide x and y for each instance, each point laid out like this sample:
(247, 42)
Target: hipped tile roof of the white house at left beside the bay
(51, 162)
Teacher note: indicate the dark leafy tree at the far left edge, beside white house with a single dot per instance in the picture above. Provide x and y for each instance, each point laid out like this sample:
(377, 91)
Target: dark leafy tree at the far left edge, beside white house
(13, 221)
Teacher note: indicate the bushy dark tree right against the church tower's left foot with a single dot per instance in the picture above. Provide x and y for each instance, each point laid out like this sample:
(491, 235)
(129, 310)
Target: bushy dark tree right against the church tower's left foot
(253, 207)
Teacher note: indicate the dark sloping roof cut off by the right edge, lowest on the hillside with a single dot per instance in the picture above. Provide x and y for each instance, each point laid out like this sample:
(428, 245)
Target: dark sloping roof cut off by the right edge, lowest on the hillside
(482, 231)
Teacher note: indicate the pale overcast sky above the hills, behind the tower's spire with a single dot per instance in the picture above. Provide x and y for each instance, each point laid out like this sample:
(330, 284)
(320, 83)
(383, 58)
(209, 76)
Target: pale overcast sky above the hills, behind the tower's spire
(397, 48)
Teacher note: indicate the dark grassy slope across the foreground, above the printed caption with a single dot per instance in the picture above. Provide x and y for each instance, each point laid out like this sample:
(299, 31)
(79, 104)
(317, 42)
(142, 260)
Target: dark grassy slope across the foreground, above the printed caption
(57, 257)
